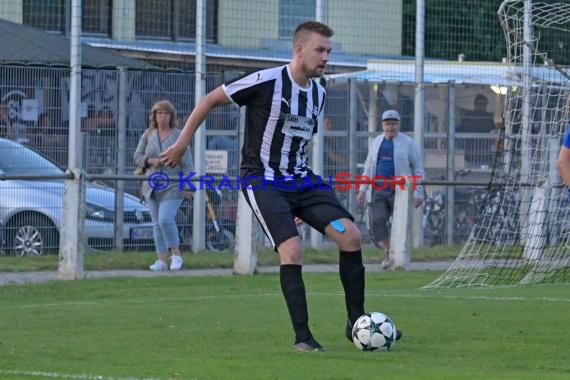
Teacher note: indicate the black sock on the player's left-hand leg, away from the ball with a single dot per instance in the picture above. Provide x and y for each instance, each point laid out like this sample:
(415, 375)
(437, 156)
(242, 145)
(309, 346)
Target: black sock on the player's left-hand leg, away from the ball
(293, 289)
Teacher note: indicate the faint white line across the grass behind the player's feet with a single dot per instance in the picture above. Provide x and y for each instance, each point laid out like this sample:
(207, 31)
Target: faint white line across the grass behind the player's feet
(313, 294)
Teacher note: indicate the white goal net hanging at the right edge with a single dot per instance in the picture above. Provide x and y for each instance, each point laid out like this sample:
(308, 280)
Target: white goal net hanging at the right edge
(522, 234)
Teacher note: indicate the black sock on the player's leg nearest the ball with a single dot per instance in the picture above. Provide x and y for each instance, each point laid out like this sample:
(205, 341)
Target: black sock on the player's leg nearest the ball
(351, 273)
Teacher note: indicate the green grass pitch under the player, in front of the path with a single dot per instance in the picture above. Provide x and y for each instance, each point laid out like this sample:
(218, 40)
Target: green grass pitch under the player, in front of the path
(237, 328)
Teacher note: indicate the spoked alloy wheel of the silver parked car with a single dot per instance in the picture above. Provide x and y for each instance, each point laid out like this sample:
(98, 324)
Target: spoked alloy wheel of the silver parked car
(31, 235)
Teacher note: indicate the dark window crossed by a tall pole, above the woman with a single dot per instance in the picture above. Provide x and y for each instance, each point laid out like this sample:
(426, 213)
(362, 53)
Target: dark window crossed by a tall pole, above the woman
(173, 19)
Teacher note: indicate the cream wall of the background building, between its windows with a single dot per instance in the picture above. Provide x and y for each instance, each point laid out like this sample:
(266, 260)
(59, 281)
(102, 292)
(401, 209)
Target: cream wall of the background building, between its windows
(369, 27)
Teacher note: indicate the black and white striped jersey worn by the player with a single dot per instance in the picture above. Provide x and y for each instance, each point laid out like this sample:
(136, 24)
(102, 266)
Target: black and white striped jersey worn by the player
(281, 118)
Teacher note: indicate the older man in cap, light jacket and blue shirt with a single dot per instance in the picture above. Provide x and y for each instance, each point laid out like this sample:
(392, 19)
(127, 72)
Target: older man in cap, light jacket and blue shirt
(391, 154)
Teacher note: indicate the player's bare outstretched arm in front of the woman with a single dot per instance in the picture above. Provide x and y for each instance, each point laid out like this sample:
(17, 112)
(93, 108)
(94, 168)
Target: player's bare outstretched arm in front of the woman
(215, 98)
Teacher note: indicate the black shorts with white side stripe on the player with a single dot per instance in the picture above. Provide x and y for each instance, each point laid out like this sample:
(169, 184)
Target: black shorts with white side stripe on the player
(276, 204)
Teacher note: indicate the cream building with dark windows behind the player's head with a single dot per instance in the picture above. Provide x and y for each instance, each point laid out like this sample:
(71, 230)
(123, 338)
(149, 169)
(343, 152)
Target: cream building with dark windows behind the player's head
(239, 34)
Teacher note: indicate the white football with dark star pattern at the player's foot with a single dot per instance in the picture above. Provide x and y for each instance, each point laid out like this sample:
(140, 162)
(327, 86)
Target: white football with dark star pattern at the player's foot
(374, 331)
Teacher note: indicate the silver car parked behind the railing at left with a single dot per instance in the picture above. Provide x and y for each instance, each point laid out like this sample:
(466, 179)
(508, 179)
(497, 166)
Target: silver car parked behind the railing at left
(31, 210)
